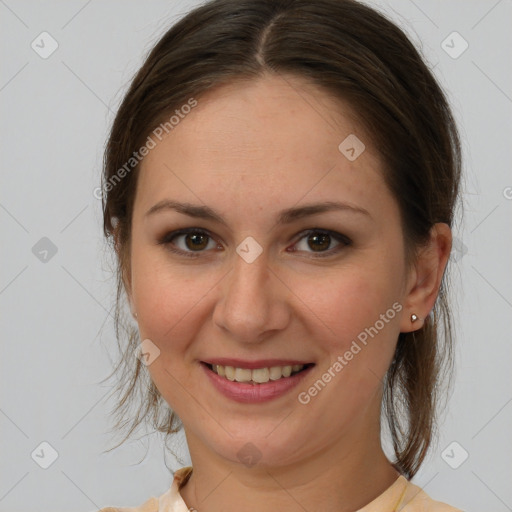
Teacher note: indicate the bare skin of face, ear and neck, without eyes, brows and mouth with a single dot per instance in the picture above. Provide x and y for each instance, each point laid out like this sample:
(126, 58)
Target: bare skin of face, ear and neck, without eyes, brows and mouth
(248, 151)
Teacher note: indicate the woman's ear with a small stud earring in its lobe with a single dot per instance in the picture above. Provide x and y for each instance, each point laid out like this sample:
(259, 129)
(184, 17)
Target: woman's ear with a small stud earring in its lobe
(425, 277)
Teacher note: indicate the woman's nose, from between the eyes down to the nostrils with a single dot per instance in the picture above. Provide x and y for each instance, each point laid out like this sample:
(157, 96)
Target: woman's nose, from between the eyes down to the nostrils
(252, 304)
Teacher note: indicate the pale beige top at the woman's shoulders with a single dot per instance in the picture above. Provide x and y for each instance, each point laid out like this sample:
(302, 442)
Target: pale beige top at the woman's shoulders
(401, 496)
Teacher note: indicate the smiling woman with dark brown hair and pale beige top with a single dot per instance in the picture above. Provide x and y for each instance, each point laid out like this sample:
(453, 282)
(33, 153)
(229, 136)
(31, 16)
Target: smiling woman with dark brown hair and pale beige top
(279, 184)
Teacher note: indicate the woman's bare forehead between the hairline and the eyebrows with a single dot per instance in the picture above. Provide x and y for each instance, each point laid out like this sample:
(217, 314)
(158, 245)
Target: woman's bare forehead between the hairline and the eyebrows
(256, 141)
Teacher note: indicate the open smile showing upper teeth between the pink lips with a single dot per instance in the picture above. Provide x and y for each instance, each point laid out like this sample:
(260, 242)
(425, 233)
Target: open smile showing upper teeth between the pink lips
(256, 376)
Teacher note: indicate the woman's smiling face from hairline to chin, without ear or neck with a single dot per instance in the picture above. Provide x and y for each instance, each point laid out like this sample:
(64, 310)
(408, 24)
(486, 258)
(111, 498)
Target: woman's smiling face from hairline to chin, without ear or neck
(259, 282)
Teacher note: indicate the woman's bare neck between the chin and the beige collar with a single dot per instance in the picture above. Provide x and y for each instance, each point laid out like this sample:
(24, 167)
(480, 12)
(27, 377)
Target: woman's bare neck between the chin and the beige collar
(343, 477)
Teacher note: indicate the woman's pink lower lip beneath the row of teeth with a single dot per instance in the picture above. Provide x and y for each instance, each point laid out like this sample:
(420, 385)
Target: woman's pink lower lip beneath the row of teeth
(254, 393)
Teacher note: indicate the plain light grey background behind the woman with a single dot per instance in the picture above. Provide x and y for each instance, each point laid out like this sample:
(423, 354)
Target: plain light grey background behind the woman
(57, 340)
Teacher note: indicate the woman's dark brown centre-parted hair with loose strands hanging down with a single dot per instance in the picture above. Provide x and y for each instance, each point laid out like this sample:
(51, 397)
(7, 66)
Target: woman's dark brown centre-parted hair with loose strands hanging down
(353, 53)
